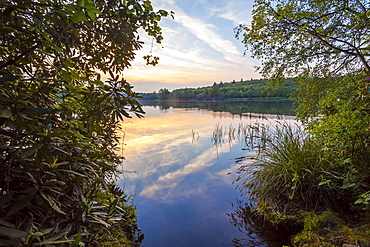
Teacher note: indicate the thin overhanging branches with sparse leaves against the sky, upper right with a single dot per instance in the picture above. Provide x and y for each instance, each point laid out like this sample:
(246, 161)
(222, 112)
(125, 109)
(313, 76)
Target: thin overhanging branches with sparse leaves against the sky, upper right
(316, 38)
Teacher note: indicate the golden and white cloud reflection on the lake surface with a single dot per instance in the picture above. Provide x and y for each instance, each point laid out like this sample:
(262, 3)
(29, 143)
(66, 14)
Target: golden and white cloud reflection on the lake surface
(160, 149)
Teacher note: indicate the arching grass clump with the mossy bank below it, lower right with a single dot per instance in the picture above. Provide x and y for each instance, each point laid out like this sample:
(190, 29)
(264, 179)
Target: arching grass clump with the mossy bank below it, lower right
(324, 187)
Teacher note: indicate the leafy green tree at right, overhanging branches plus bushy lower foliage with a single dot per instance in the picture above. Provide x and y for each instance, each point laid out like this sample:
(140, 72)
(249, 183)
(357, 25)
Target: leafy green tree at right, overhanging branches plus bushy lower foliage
(326, 46)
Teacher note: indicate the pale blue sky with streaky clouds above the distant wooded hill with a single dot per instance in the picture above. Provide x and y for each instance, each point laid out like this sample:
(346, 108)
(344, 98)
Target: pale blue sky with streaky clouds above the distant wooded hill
(199, 46)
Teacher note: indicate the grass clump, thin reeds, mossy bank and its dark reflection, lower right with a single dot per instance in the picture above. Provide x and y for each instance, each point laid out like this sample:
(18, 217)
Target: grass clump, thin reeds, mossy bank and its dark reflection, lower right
(294, 189)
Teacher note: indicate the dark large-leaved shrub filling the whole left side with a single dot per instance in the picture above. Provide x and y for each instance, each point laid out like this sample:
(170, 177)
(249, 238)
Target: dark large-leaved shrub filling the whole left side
(59, 120)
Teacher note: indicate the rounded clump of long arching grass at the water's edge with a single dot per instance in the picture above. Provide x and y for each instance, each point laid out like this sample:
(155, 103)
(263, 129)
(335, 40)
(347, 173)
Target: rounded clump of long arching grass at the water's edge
(290, 172)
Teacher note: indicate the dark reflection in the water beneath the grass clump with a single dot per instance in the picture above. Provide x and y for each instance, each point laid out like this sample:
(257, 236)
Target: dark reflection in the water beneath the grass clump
(258, 231)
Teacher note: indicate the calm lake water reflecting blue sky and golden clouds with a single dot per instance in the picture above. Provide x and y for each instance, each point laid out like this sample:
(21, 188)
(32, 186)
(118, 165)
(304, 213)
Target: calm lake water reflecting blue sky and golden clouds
(178, 173)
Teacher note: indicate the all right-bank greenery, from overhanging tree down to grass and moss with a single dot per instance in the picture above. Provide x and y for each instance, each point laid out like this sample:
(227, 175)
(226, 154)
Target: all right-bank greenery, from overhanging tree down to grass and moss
(318, 177)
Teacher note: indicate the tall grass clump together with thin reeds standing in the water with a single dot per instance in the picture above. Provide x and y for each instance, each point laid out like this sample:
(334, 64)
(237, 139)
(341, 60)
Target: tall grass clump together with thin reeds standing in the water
(293, 170)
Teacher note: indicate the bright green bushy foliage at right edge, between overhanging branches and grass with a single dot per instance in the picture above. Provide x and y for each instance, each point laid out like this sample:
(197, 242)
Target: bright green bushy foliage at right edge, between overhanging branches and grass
(343, 127)
